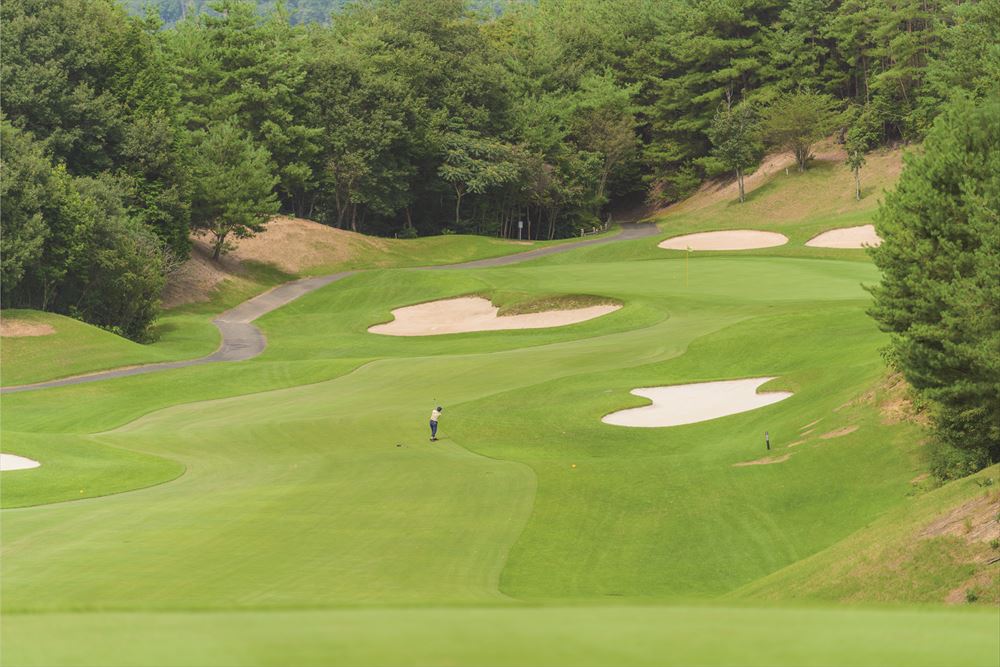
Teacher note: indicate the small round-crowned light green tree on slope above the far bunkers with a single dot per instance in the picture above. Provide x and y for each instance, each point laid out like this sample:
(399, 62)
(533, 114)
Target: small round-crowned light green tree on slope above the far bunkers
(794, 122)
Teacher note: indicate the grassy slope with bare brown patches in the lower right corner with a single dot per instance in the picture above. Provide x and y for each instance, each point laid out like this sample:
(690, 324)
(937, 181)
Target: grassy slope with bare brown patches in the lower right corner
(896, 559)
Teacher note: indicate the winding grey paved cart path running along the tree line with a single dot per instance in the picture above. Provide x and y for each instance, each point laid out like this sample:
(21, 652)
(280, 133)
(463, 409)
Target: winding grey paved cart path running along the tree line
(241, 340)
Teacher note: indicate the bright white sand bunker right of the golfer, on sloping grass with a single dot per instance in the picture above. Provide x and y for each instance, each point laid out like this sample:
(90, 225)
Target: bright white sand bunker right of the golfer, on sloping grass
(691, 403)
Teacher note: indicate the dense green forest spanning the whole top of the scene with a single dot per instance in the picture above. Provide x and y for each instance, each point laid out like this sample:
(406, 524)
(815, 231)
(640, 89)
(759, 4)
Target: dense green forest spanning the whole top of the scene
(414, 117)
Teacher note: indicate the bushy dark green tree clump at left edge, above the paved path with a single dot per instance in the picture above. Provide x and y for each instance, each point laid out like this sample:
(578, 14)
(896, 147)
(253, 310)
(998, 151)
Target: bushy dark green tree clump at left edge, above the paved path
(69, 245)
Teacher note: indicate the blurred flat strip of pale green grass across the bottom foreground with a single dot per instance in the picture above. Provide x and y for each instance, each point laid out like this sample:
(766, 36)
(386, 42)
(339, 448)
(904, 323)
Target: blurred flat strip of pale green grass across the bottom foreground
(586, 636)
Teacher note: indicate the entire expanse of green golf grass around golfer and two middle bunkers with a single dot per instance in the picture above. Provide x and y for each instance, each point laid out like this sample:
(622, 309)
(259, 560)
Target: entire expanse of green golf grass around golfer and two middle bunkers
(291, 510)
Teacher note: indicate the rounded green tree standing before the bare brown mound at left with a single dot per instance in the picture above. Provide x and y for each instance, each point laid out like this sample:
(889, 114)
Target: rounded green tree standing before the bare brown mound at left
(233, 193)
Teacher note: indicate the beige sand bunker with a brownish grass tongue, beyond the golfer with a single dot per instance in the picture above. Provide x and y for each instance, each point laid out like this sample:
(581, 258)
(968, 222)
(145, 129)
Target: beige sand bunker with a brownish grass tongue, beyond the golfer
(467, 314)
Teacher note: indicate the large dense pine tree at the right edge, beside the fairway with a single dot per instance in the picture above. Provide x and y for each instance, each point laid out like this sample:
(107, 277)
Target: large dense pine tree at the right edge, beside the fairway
(940, 296)
